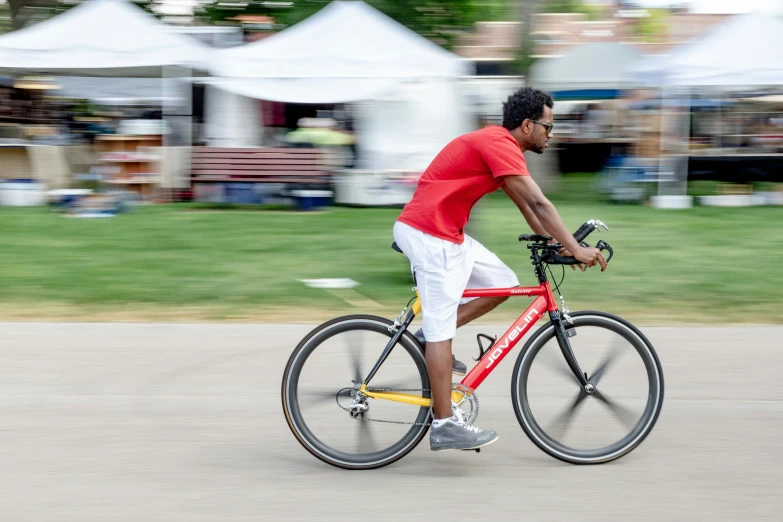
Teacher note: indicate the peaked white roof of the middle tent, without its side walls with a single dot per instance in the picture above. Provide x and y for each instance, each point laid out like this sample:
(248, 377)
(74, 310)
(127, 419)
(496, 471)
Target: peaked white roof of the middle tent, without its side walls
(342, 40)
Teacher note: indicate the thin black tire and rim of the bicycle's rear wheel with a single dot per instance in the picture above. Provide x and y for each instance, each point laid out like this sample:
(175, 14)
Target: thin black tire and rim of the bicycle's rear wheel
(407, 342)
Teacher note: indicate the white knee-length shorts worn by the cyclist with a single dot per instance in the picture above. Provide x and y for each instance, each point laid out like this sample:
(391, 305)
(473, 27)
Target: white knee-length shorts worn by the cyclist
(443, 271)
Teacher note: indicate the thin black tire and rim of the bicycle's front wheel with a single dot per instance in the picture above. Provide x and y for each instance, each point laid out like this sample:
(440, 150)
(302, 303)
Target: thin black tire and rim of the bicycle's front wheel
(541, 337)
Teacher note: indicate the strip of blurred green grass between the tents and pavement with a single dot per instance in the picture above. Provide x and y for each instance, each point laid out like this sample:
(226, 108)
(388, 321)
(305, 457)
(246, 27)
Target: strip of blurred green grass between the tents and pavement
(179, 262)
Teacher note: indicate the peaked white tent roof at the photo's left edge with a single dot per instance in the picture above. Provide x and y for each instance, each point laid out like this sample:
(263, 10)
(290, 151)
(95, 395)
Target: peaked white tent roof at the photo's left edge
(100, 38)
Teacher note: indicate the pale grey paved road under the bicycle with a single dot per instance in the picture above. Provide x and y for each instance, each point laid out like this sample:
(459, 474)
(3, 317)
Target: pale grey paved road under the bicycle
(140, 422)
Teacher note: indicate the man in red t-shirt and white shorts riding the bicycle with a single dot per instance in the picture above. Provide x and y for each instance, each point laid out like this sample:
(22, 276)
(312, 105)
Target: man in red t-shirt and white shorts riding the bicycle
(446, 261)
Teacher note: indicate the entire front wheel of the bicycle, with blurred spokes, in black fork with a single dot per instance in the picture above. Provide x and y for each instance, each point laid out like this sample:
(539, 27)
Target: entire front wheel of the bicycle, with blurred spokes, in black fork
(615, 417)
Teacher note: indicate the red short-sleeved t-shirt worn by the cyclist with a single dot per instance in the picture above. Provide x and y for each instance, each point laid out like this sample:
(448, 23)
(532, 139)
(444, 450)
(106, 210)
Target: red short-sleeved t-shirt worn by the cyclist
(462, 173)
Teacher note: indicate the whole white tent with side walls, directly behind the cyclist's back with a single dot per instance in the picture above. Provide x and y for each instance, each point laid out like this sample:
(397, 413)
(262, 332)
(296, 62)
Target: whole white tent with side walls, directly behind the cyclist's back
(349, 52)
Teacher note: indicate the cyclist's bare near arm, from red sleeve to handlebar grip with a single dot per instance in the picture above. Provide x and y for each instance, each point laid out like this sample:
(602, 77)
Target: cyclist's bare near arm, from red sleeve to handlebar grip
(525, 192)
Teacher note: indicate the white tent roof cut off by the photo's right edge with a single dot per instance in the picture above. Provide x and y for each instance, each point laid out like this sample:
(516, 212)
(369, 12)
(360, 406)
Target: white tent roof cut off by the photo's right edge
(742, 51)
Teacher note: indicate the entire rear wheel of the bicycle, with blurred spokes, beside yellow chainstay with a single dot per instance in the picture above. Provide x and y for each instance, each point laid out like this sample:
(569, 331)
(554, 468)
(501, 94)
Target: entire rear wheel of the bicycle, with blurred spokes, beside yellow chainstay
(319, 383)
